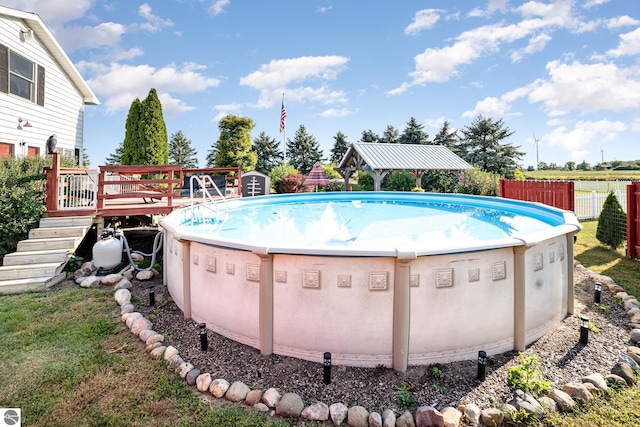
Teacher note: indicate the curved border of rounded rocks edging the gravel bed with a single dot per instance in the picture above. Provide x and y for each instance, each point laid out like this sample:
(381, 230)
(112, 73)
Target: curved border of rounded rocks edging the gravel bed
(291, 405)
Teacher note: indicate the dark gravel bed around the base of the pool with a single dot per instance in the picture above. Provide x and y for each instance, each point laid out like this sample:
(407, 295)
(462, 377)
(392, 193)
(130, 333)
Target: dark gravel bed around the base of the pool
(562, 359)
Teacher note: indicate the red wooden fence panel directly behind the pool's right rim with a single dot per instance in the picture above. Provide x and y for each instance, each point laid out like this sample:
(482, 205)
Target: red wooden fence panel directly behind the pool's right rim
(558, 194)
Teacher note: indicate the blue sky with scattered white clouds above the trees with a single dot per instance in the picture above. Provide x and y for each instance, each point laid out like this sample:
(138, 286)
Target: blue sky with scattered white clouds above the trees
(562, 73)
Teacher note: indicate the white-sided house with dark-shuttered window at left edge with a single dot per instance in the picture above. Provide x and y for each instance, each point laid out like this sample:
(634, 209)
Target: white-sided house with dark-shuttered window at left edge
(41, 91)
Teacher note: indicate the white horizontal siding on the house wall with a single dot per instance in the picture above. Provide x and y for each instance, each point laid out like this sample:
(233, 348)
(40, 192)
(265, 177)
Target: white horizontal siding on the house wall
(63, 110)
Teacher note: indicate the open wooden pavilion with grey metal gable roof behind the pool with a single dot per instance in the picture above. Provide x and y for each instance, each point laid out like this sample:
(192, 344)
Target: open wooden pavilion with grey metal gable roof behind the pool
(378, 159)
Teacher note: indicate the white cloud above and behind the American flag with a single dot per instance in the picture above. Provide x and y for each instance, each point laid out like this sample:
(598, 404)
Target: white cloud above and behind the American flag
(272, 79)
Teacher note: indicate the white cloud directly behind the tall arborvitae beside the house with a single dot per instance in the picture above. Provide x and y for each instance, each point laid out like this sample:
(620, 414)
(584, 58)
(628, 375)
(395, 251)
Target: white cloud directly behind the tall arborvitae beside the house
(118, 85)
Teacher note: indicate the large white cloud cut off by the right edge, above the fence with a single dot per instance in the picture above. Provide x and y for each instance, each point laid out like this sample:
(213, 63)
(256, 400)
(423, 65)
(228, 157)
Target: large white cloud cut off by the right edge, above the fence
(587, 87)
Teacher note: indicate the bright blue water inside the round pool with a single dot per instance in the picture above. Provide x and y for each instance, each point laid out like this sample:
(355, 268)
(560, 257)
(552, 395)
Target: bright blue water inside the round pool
(370, 222)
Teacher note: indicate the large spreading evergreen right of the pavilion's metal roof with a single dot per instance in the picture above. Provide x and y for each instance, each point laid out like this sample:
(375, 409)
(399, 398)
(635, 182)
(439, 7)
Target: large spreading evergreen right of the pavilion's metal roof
(482, 145)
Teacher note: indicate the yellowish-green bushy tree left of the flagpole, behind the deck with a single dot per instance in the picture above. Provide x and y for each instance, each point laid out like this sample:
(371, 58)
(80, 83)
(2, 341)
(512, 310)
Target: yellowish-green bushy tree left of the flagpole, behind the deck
(234, 143)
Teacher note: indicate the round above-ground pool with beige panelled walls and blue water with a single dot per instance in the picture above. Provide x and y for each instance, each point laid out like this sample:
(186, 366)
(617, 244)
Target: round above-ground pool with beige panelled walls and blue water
(375, 278)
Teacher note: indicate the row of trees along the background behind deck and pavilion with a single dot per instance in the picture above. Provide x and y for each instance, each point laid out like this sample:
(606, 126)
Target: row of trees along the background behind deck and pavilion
(483, 143)
